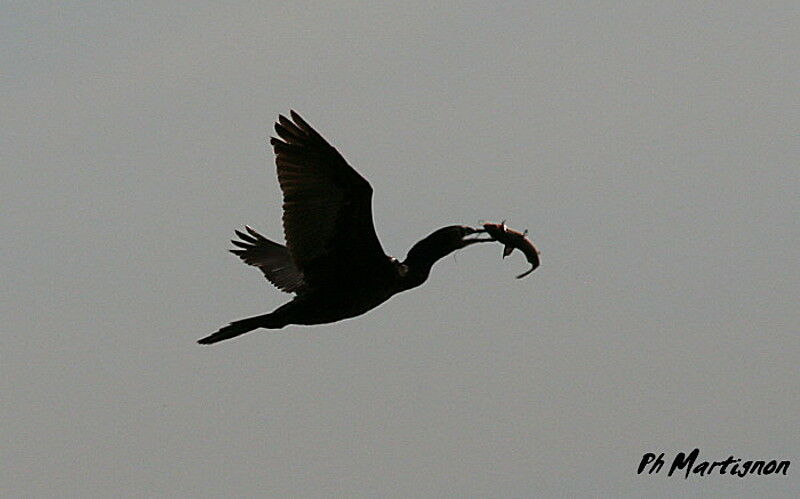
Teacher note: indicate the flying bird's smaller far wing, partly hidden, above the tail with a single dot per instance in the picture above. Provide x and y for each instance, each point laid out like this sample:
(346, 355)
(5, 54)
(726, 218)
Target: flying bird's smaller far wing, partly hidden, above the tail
(272, 258)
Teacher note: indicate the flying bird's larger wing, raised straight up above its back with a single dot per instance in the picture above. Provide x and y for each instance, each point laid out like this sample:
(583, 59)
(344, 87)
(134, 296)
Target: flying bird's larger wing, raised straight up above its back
(327, 206)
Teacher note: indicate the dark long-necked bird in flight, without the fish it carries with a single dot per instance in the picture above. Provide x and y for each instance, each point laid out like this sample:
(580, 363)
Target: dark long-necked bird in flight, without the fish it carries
(332, 260)
